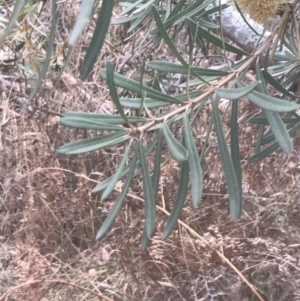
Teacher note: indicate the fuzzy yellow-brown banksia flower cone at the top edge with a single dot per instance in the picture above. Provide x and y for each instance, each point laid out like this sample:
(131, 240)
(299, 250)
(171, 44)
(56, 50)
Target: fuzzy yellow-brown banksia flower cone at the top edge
(262, 11)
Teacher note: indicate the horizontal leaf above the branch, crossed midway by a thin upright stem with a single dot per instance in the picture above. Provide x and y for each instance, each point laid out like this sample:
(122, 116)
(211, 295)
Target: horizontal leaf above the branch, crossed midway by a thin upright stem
(178, 68)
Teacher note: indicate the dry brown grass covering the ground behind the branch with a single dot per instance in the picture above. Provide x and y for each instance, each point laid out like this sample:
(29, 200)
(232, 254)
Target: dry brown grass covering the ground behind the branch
(49, 217)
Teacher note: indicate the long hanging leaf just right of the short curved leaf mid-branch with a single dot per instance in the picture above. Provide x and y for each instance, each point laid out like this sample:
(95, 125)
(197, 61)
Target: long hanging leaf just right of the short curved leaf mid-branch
(194, 162)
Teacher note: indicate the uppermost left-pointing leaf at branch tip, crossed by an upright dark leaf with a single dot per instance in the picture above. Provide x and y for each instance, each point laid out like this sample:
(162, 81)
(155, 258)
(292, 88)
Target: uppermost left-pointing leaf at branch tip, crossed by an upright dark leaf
(102, 118)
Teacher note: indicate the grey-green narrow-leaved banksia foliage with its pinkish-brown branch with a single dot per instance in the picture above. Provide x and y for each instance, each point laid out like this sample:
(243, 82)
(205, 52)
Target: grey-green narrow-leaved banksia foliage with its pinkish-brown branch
(164, 20)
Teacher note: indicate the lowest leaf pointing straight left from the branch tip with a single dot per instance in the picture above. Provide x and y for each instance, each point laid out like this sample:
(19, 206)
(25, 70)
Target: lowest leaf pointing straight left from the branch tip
(92, 144)
